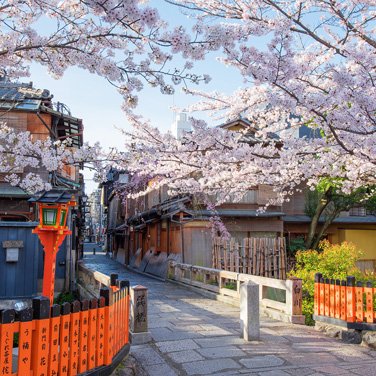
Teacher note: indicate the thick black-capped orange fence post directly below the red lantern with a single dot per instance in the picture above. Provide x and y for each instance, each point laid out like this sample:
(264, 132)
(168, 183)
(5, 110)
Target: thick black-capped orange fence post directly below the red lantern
(40, 342)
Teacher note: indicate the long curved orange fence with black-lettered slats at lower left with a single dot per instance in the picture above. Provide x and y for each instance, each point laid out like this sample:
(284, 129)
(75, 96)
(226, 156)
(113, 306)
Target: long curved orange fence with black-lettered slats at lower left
(70, 339)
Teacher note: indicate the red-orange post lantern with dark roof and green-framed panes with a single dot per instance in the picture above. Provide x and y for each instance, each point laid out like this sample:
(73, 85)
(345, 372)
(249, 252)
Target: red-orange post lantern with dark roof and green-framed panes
(52, 229)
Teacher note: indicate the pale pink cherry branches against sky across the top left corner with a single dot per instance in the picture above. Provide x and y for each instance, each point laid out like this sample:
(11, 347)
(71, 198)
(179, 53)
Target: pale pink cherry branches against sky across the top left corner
(125, 42)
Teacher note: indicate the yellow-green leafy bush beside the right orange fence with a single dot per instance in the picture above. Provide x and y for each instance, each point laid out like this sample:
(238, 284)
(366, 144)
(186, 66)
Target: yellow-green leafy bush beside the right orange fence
(334, 261)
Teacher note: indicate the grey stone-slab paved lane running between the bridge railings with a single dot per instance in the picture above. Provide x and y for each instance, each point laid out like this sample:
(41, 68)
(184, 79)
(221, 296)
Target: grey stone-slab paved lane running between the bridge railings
(194, 335)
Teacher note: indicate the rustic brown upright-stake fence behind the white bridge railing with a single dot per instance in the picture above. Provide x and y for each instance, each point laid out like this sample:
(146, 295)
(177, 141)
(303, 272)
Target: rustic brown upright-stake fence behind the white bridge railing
(264, 257)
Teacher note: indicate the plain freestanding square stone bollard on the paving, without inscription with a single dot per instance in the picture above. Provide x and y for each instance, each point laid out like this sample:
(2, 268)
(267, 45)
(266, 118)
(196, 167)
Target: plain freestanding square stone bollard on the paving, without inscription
(250, 311)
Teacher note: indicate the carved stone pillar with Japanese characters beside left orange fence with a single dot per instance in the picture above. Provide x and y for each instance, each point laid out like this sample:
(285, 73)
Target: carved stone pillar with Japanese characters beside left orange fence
(139, 315)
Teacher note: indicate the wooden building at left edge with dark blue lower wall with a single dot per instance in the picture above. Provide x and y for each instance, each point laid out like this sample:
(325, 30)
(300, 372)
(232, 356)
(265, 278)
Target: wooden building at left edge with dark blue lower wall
(25, 108)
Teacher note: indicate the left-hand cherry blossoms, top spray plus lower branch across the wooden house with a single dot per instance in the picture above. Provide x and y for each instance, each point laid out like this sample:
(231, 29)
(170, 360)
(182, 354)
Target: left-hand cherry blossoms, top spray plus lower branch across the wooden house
(124, 41)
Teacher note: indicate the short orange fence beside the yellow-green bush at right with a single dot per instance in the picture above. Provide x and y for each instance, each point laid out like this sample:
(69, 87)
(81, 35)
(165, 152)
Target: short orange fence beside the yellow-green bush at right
(345, 300)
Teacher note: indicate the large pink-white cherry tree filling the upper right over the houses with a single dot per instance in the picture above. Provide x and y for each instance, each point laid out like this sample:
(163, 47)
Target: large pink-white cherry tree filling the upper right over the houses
(306, 63)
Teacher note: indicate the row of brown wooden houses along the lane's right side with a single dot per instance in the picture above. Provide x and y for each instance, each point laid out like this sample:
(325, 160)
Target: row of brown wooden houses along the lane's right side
(144, 232)
